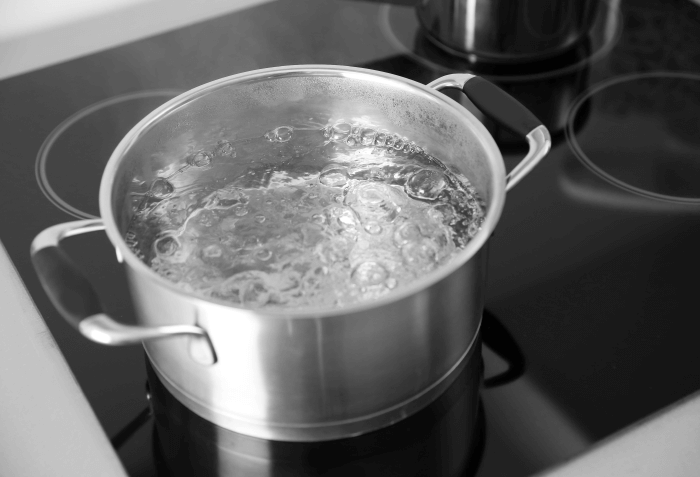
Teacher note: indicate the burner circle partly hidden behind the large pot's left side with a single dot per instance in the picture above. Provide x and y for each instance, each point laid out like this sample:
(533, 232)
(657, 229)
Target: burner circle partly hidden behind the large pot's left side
(70, 162)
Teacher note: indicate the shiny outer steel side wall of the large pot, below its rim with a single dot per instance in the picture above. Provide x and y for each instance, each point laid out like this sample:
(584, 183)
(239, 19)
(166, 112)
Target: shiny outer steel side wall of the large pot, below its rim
(317, 377)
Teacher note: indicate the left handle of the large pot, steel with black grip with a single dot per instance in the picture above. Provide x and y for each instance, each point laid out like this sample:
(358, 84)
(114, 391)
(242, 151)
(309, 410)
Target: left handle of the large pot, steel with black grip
(75, 298)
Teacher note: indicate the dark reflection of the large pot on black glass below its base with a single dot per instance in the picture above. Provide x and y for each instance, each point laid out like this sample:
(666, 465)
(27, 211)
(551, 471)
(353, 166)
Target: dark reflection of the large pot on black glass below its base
(446, 438)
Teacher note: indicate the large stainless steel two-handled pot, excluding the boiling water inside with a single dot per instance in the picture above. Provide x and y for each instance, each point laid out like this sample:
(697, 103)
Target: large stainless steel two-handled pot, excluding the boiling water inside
(313, 374)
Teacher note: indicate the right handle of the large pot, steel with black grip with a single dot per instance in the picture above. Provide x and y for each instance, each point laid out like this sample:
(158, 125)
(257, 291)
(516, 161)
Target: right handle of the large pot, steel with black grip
(506, 110)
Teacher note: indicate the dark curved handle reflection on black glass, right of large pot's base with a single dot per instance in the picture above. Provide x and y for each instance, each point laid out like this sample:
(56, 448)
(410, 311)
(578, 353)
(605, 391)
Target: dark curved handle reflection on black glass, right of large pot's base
(498, 338)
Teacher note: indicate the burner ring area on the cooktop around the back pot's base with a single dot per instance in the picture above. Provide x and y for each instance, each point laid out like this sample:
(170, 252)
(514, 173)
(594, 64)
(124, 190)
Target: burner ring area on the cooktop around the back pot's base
(402, 29)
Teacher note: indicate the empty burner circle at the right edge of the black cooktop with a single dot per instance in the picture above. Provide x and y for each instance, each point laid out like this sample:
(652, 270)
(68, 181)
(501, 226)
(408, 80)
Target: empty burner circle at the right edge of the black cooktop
(642, 133)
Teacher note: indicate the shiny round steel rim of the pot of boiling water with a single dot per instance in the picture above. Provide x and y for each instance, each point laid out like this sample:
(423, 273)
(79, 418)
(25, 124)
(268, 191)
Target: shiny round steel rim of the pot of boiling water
(493, 209)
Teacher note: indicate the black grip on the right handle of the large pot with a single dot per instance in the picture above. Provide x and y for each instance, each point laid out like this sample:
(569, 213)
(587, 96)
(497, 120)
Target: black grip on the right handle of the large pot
(500, 106)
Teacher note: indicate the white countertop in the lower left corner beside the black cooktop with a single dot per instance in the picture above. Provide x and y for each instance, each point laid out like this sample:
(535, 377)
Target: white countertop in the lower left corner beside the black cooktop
(48, 427)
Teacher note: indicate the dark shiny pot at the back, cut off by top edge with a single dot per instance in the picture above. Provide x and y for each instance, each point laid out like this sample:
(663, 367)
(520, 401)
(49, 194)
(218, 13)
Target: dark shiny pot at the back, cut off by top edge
(507, 30)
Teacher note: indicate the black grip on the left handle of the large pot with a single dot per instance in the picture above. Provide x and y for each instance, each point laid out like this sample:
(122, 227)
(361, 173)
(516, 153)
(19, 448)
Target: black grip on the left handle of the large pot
(64, 283)
